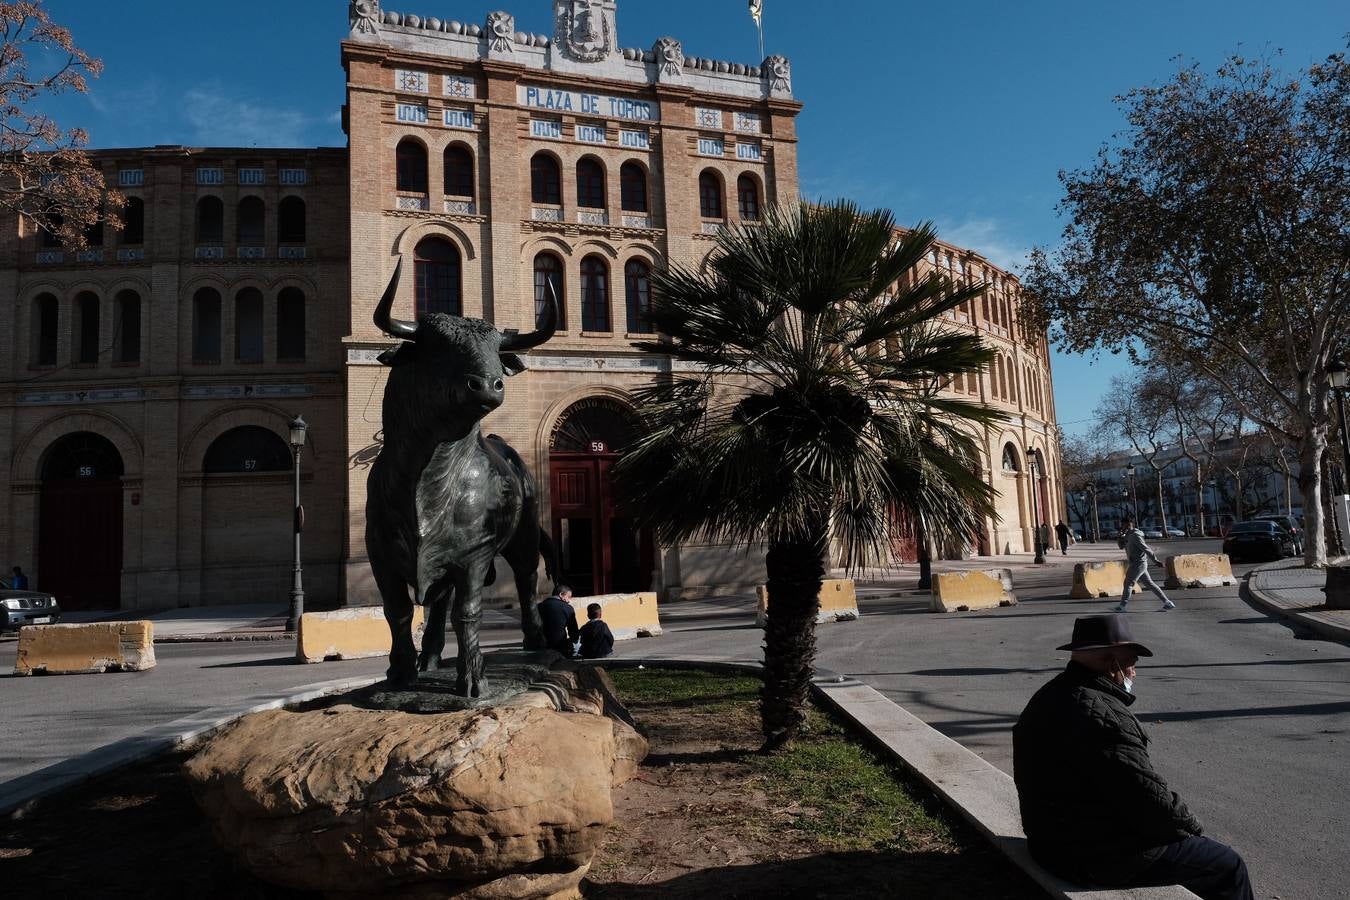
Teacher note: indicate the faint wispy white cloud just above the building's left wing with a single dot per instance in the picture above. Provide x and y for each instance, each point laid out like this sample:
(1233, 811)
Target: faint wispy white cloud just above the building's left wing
(218, 118)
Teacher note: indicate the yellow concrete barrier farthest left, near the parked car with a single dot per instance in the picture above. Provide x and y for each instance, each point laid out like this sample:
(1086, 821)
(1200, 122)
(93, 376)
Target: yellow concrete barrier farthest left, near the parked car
(91, 648)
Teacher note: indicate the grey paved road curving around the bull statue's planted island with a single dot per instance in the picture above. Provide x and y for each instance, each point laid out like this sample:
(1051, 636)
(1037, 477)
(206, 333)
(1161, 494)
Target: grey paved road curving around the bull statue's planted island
(1251, 724)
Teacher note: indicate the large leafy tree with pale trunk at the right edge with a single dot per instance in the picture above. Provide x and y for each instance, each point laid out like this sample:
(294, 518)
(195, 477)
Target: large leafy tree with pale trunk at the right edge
(1218, 230)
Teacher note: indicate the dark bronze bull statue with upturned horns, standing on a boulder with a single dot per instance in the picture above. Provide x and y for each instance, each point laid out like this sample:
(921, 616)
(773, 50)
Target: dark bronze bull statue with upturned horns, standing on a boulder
(443, 501)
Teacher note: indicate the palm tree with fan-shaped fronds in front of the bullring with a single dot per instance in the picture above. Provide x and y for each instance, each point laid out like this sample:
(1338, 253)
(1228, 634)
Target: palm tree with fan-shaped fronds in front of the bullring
(812, 416)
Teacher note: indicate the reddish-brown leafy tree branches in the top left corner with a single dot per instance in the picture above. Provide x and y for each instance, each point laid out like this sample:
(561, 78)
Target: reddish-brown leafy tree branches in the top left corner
(45, 173)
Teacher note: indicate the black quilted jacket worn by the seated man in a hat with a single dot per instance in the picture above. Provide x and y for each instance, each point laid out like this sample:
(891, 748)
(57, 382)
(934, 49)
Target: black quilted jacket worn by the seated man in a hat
(1093, 808)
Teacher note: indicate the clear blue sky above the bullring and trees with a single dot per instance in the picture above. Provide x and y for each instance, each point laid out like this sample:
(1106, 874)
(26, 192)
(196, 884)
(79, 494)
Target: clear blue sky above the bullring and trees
(955, 113)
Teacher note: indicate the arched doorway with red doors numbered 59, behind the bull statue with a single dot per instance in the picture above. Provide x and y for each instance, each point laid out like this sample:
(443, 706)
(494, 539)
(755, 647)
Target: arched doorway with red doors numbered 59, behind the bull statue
(600, 551)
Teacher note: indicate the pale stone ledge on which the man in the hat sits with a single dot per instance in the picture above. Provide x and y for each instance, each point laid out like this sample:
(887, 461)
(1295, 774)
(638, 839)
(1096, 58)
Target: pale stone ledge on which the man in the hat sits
(981, 793)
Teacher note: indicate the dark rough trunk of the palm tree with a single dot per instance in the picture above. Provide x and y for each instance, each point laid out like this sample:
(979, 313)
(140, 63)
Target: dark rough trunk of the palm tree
(796, 571)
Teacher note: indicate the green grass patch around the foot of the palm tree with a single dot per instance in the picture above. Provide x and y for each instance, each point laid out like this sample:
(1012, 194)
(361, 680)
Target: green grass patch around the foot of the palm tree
(830, 783)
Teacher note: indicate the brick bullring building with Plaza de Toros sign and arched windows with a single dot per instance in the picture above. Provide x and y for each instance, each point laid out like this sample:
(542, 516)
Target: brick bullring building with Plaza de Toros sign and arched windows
(148, 381)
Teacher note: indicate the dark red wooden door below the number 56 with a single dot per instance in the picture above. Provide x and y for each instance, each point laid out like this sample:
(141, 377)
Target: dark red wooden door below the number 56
(80, 543)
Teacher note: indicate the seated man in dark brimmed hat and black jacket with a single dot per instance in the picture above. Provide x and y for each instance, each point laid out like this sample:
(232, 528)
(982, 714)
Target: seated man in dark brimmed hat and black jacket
(1094, 809)
